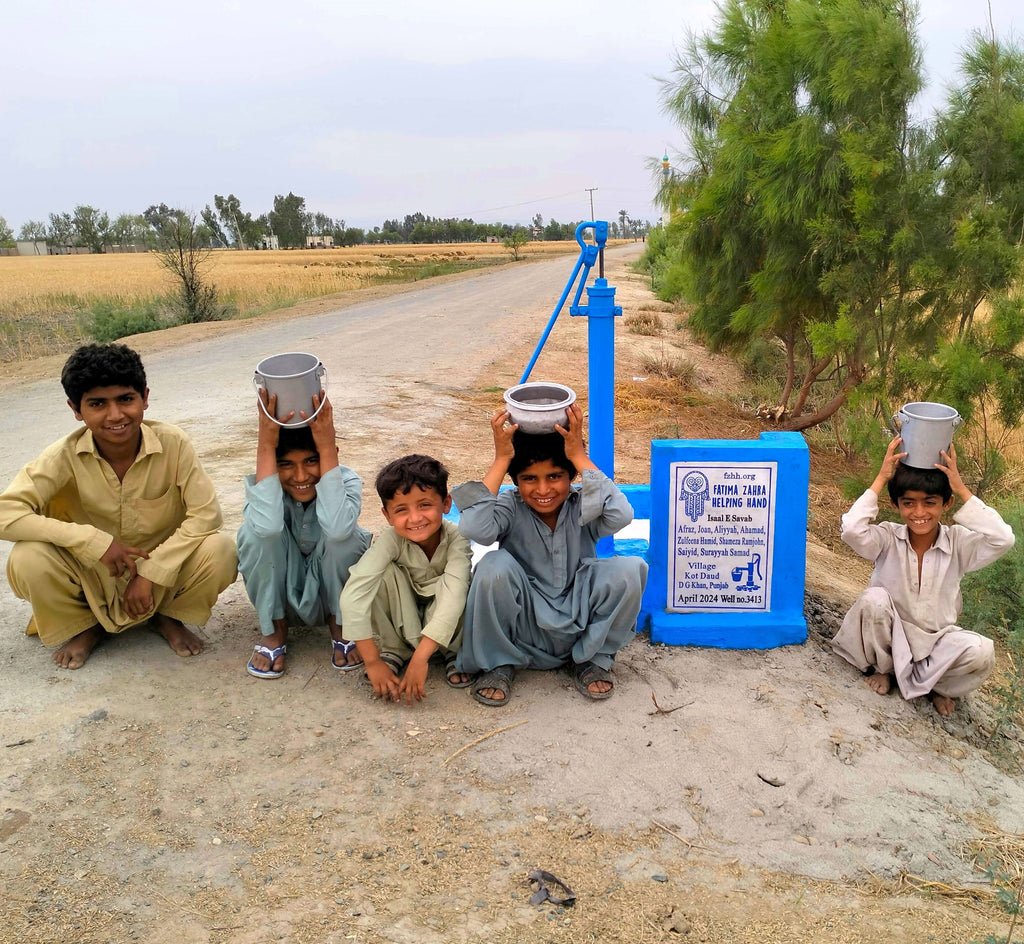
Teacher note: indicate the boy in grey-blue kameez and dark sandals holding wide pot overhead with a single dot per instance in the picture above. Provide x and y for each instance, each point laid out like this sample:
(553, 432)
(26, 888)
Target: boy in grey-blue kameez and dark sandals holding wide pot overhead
(544, 600)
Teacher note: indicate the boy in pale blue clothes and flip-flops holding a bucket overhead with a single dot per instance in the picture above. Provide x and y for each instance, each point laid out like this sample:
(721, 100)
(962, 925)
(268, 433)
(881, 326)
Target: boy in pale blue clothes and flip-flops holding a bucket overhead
(300, 535)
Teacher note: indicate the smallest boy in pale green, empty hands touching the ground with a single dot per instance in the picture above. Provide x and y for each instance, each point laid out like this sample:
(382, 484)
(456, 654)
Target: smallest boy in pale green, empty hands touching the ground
(405, 599)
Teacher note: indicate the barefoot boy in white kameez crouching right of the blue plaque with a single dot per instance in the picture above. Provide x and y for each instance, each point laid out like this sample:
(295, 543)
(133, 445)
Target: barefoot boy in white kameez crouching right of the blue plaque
(904, 627)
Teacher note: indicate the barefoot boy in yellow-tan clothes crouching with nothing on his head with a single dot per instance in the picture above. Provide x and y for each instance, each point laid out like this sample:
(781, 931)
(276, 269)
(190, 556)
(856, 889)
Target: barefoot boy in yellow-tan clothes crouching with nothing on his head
(116, 524)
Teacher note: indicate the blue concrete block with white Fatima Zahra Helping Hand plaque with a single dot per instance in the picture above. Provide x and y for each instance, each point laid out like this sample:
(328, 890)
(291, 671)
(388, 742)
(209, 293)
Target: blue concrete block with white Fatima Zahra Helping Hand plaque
(729, 542)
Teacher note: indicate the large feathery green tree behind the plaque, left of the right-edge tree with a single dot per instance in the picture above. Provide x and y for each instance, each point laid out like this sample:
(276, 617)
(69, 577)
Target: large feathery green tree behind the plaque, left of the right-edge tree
(796, 213)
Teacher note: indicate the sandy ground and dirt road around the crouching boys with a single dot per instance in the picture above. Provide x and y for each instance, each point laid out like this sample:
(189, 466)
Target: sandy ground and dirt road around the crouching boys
(720, 796)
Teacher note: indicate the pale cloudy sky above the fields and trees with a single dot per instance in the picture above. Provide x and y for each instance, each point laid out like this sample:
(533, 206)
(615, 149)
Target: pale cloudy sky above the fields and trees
(369, 111)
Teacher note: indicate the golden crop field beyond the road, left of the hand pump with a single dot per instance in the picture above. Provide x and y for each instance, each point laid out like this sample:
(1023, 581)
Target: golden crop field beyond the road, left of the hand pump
(47, 303)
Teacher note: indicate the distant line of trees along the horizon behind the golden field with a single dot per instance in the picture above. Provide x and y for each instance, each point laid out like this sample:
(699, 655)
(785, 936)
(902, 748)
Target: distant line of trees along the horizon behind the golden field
(226, 225)
